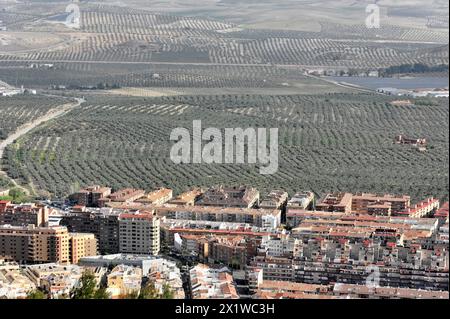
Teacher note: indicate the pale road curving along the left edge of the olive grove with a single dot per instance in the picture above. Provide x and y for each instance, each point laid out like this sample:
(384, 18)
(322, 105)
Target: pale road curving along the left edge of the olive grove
(27, 127)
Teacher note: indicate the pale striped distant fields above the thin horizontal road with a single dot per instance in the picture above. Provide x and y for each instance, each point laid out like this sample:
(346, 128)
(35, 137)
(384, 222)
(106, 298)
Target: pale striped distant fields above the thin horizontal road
(129, 35)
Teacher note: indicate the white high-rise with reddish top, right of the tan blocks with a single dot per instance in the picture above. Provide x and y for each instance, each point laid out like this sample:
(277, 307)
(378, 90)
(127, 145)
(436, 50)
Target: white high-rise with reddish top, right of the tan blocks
(139, 233)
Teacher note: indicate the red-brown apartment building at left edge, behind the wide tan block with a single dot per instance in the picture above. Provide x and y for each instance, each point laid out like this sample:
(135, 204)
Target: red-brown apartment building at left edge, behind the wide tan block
(23, 214)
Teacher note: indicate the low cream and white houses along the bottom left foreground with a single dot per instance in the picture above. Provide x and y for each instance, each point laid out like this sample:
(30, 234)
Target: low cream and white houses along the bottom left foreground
(119, 274)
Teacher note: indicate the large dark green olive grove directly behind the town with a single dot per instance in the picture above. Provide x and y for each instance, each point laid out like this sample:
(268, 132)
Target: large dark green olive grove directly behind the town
(328, 142)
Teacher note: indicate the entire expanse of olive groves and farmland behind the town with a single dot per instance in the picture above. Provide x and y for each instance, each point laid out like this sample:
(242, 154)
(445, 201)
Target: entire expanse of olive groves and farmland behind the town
(148, 66)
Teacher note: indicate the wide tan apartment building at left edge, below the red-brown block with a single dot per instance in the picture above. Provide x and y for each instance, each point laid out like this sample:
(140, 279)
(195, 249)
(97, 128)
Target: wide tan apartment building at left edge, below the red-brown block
(30, 244)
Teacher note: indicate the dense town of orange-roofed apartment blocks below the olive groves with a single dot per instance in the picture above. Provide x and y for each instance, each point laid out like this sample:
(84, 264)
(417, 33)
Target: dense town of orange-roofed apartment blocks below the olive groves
(325, 251)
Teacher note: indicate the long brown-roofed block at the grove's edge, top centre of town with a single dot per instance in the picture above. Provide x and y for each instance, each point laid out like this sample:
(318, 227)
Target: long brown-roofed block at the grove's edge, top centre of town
(244, 197)
